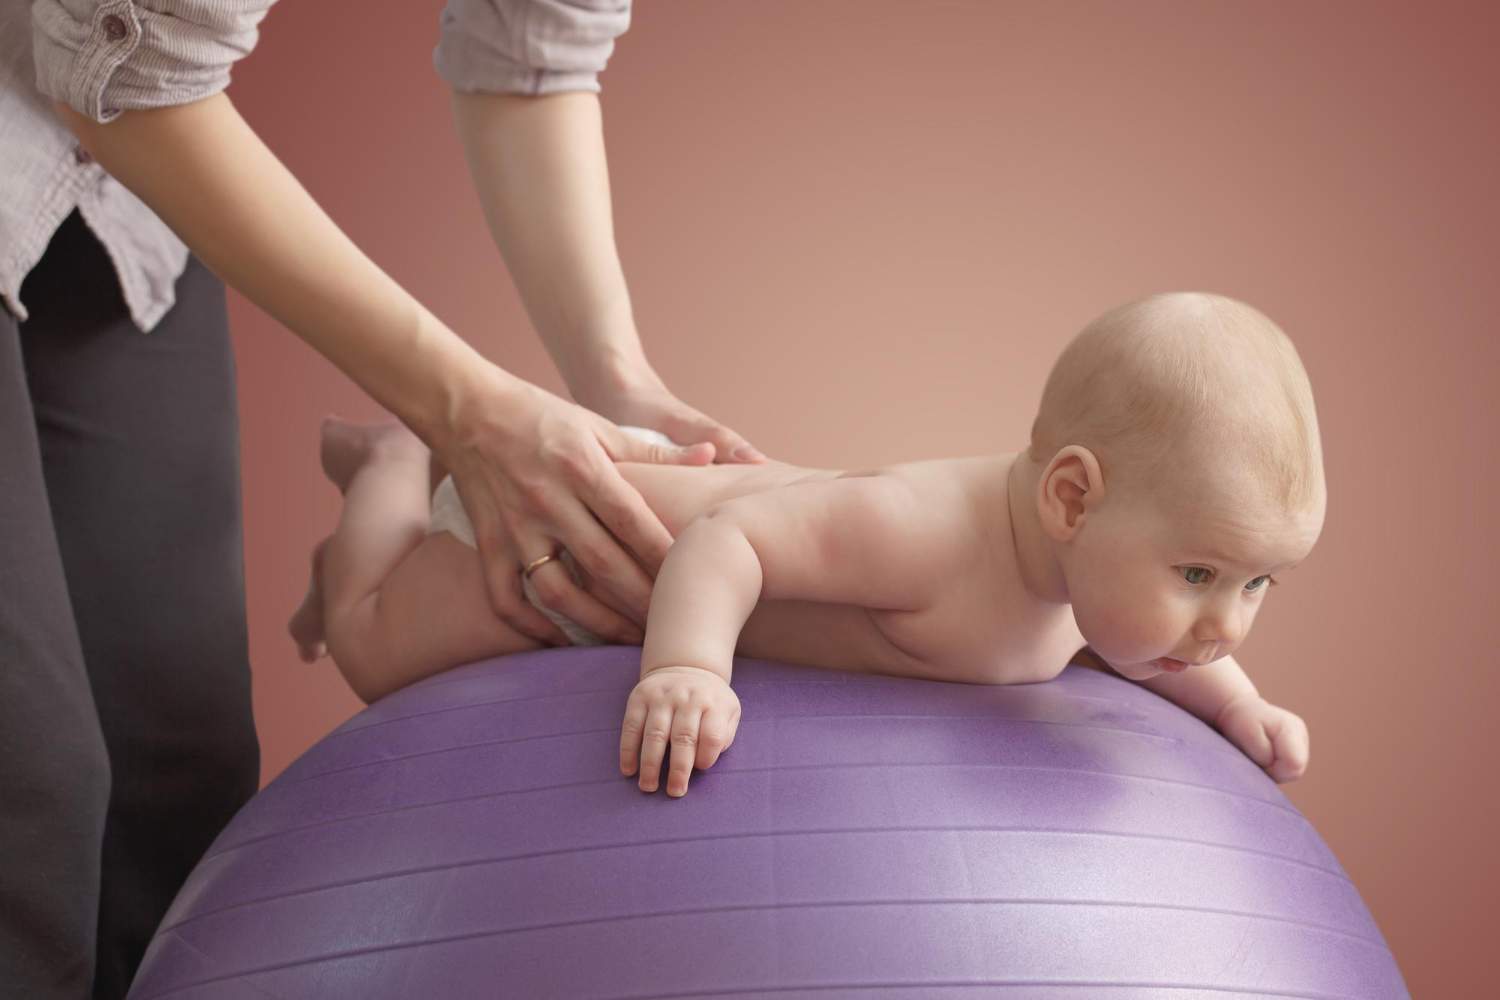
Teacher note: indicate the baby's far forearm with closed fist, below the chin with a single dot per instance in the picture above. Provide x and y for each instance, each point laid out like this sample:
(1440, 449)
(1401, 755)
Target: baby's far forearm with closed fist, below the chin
(1225, 698)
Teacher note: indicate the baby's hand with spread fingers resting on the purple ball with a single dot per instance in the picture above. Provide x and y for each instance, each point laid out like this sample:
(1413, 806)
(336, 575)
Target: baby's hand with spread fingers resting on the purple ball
(694, 708)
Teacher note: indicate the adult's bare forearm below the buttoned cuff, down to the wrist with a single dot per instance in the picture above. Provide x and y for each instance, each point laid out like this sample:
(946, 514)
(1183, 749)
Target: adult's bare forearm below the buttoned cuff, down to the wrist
(205, 172)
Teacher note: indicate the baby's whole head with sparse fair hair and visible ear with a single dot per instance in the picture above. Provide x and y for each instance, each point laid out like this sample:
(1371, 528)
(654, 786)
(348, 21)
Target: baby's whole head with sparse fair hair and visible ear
(1178, 472)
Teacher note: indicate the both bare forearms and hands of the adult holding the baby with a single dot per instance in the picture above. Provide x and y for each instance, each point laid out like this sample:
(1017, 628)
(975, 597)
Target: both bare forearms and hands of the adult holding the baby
(536, 472)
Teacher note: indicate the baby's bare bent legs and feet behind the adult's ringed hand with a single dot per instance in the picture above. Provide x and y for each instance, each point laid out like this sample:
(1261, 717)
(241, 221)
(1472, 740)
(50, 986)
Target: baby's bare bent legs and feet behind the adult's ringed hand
(397, 605)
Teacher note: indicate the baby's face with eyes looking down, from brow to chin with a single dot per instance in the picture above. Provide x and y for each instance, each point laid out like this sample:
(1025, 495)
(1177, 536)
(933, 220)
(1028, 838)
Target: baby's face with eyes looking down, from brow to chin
(1160, 584)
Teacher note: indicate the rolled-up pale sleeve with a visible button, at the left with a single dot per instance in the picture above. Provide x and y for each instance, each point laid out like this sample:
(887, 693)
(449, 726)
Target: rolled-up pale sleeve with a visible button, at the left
(103, 59)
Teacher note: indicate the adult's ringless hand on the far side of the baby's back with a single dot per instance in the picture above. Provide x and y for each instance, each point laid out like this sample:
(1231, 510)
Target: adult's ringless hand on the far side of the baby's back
(638, 398)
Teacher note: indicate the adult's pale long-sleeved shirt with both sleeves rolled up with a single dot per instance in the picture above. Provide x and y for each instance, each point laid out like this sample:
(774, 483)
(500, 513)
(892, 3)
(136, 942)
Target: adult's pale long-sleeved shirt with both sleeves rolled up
(109, 58)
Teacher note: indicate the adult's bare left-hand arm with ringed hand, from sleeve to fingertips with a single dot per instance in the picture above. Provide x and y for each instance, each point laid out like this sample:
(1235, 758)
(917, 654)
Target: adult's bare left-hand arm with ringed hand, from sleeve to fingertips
(533, 470)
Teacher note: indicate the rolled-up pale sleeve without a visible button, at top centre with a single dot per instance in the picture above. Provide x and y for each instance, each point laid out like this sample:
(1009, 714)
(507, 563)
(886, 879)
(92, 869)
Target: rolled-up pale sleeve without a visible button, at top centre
(529, 47)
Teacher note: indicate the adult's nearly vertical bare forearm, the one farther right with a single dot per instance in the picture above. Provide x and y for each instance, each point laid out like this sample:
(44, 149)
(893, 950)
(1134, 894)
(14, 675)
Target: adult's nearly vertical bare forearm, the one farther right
(541, 172)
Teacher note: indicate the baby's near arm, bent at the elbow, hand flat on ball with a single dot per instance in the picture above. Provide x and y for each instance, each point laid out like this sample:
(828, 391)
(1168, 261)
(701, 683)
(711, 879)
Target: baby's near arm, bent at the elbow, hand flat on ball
(869, 542)
